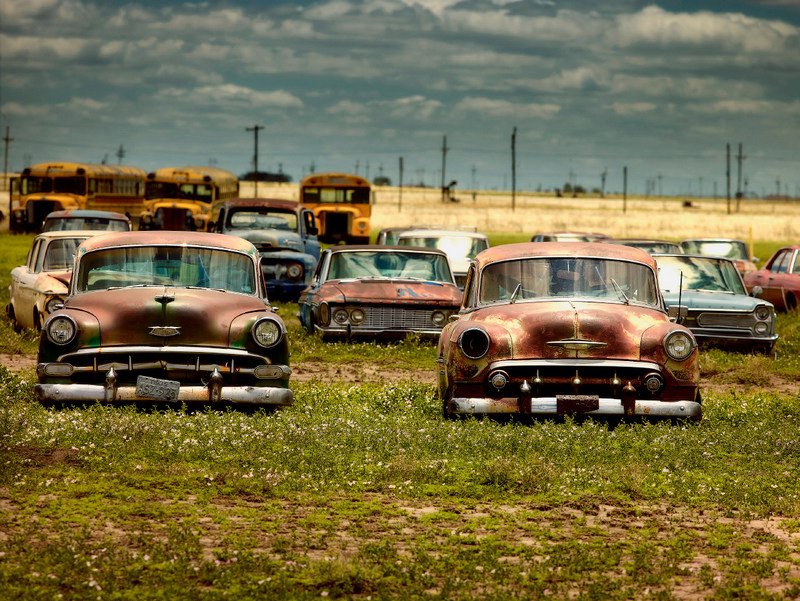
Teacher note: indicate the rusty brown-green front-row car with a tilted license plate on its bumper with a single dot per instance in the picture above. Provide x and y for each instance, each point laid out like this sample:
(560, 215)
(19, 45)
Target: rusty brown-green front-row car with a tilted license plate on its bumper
(165, 317)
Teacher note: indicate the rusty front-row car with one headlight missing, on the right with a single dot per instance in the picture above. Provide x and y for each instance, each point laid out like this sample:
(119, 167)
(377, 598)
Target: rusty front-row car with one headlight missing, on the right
(549, 329)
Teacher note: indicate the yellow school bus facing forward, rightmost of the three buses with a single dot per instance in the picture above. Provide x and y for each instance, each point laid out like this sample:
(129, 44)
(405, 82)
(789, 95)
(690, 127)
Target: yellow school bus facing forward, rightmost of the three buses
(341, 203)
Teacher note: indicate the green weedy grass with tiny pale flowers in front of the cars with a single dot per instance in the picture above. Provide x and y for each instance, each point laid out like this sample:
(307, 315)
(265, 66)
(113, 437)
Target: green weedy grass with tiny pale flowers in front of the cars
(364, 492)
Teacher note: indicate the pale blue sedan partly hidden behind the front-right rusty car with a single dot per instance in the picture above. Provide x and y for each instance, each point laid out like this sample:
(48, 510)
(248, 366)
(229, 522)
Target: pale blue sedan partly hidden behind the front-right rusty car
(707, 295)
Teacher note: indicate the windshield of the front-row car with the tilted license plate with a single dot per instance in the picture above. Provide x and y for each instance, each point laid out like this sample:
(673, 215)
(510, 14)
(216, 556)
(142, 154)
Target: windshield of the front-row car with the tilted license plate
(181, 266)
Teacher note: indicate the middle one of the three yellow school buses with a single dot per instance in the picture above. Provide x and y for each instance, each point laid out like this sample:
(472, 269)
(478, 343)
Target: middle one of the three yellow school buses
(181, 198)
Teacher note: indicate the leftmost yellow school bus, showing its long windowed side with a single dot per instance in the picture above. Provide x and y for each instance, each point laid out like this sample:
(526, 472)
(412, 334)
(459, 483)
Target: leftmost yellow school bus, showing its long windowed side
(48, 187)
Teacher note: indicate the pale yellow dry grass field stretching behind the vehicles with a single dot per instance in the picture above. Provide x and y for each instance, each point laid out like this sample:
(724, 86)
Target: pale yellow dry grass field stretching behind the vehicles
(490, 211)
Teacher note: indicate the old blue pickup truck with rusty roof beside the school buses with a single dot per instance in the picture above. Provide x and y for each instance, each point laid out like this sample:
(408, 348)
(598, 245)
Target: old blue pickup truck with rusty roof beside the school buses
(285, 235)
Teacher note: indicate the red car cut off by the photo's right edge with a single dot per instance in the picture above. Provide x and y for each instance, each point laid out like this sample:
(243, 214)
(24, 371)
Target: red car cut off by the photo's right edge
(779, 279)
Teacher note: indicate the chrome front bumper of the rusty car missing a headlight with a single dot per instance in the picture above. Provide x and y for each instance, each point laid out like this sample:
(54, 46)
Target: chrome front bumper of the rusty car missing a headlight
(548, 406)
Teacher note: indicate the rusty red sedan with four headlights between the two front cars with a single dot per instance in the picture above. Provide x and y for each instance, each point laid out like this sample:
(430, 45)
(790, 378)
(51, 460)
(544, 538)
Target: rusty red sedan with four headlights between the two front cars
(379, 292)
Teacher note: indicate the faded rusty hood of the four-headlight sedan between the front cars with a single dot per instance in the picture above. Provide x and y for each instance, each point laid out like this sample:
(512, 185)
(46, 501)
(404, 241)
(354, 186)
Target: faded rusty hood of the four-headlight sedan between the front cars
(393, 291)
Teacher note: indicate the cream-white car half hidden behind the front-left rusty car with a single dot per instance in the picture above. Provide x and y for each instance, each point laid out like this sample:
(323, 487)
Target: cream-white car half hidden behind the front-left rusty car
(39, 286)
